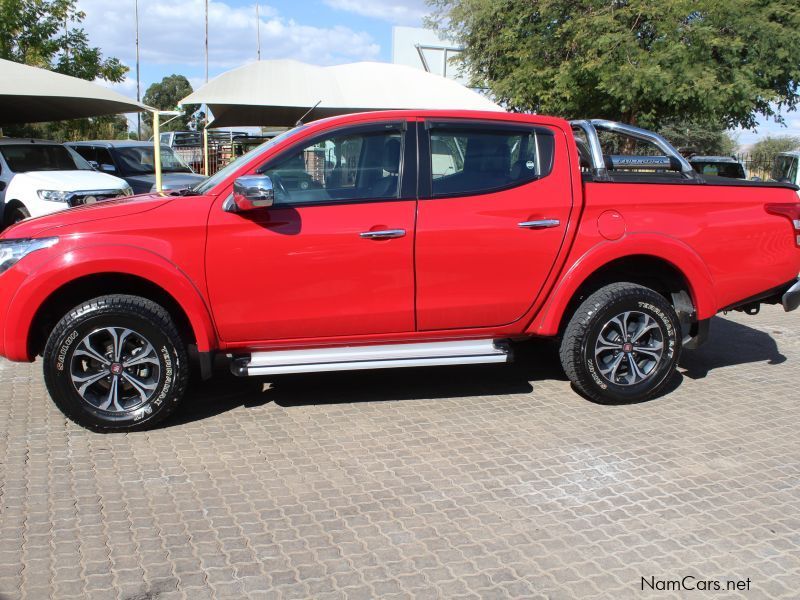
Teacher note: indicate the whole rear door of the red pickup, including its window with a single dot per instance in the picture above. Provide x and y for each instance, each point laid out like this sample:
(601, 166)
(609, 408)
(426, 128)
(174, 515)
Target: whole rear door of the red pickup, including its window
(492, 217)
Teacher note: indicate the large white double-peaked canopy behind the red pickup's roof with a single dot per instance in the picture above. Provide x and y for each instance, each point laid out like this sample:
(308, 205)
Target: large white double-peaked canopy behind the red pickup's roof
(279, 92)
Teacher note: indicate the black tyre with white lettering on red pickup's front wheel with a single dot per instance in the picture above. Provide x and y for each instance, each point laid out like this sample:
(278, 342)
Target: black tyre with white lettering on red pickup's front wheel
(147, 321)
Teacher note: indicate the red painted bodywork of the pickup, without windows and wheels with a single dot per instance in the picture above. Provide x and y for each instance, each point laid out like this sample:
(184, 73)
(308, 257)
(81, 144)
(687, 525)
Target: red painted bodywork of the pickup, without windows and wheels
(303, 276)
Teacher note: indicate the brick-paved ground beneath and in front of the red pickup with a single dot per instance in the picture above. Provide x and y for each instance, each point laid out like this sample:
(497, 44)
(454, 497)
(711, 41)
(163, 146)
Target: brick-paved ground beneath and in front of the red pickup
(476, 482)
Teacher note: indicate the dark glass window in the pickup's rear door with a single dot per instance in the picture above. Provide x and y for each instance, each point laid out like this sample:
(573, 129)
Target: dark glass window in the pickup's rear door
(477, 160)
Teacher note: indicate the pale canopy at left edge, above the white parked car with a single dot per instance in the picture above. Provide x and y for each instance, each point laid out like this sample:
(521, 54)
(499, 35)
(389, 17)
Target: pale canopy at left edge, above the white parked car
(33, 95)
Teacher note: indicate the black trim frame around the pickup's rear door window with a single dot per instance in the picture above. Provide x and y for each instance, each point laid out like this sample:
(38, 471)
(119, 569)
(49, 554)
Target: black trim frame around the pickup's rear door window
(425, 169)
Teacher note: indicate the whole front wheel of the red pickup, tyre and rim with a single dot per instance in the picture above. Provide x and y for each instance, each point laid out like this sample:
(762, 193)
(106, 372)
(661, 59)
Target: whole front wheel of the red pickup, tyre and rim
(116, 363)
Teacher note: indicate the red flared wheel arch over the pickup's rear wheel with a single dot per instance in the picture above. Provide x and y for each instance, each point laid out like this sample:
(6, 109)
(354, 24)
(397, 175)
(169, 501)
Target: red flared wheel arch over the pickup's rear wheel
(675, 271)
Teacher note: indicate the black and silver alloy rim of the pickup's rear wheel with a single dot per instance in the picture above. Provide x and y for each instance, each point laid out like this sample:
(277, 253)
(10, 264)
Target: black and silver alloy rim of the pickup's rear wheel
(629, 348)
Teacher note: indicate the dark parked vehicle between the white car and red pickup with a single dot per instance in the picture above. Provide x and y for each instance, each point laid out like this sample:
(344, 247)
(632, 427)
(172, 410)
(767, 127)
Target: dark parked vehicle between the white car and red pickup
(133, 161)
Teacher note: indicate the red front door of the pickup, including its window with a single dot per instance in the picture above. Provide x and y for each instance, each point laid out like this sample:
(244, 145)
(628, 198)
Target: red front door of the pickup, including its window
(333, 256)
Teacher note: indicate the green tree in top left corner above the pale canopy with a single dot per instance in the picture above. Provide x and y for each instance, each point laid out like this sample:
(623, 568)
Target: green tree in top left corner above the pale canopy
(42, 33)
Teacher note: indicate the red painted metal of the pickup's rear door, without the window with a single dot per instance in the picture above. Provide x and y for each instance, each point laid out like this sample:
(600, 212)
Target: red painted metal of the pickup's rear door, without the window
(475, 266)
